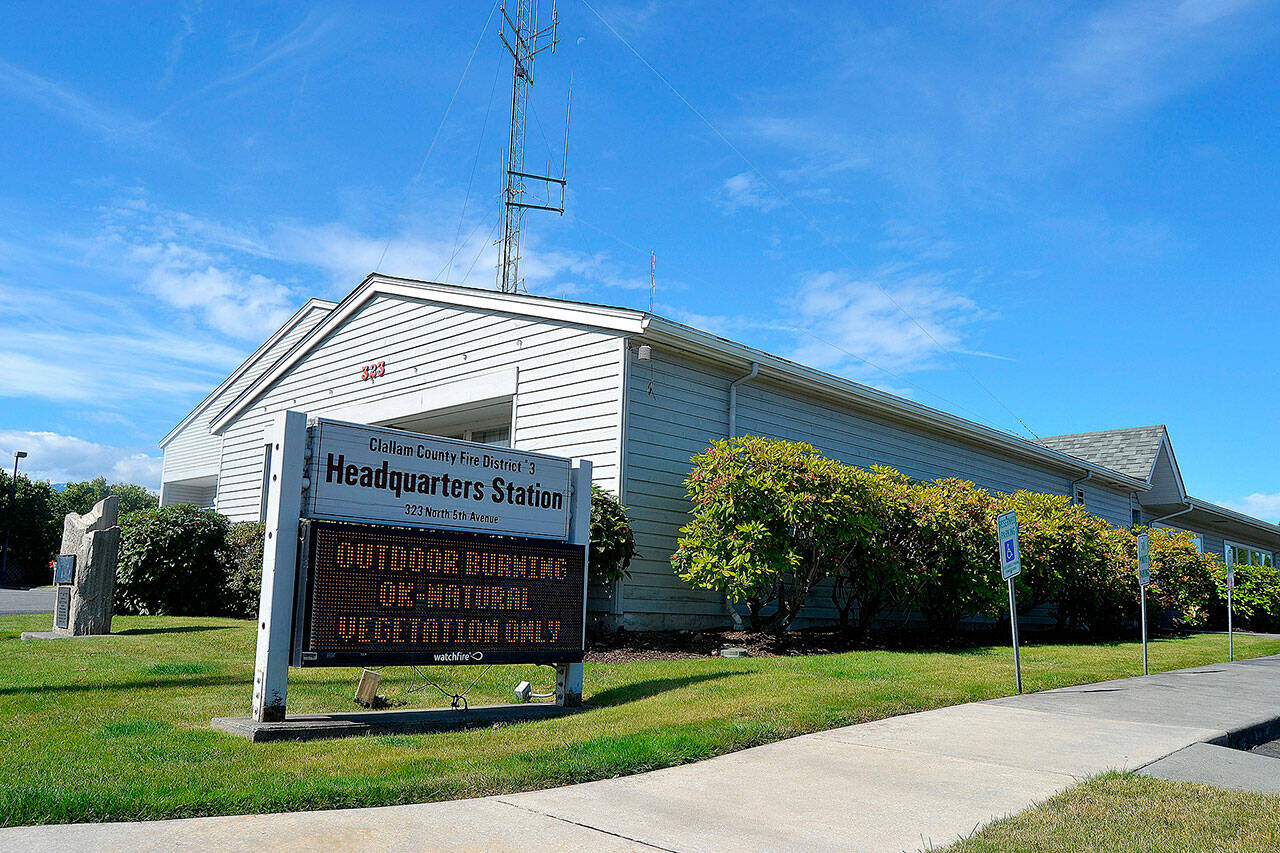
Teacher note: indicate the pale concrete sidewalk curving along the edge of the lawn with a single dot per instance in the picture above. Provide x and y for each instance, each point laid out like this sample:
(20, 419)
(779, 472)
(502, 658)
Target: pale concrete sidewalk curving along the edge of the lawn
(899, 784)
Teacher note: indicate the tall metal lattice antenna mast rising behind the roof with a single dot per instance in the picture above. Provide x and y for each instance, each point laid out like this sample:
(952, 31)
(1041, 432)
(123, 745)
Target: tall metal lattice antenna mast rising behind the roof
(524, 40)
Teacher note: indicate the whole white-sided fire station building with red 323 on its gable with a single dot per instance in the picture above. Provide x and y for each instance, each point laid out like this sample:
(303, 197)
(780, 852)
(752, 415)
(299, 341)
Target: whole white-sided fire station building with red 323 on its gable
(568, 378)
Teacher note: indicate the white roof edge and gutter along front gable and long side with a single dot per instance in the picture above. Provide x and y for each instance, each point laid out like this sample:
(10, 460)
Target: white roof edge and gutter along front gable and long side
(688, 339)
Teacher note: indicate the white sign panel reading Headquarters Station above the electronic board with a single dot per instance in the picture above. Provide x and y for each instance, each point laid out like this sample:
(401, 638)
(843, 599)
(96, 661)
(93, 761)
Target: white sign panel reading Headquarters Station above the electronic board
(383, 476)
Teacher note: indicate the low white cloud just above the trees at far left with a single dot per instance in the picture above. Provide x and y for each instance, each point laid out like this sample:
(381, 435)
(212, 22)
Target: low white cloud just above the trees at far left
(63, 459)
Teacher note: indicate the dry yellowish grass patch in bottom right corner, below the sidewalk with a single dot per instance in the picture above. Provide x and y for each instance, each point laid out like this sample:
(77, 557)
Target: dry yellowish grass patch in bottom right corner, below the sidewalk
(1130, 813)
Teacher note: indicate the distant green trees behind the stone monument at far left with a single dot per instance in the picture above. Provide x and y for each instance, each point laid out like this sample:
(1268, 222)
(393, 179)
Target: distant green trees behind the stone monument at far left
(38, 516)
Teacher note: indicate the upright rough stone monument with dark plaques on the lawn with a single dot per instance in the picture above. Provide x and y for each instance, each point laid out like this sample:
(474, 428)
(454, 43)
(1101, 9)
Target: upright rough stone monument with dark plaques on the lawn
(85, 578)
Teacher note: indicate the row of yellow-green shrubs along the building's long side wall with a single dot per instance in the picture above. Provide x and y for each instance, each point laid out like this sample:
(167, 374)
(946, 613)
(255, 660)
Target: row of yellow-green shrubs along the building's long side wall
(772, 519)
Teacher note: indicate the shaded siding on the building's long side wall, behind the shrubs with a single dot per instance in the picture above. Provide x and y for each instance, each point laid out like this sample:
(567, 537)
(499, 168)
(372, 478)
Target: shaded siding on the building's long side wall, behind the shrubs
(689, 408)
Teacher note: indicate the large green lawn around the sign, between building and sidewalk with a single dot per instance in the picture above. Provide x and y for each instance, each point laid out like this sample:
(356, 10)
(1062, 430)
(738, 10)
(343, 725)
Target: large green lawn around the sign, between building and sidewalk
(118, 728)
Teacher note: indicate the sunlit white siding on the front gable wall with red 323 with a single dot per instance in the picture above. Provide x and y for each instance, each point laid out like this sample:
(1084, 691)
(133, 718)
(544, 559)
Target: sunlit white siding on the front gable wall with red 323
(568, 403)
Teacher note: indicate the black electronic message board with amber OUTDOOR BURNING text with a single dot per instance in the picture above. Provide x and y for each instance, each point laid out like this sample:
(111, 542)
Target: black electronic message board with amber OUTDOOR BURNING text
(376, 595)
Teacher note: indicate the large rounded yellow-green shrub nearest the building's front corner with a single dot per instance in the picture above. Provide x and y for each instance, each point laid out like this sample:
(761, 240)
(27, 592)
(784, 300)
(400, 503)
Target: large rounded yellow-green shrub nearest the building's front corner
(771, 521)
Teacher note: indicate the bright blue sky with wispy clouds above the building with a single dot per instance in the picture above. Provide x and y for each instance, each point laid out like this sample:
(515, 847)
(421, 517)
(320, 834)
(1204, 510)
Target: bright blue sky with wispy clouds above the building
(1075, 206)
